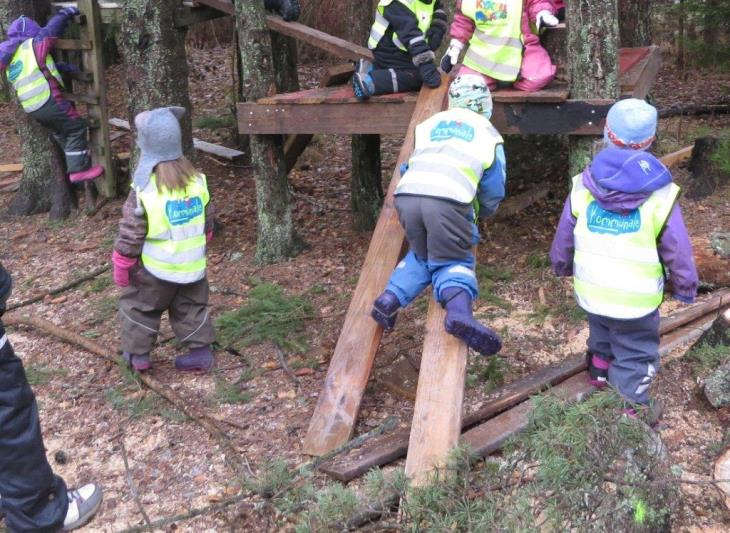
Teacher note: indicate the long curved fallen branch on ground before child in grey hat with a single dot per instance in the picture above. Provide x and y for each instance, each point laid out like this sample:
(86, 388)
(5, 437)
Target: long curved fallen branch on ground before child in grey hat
(231, 456)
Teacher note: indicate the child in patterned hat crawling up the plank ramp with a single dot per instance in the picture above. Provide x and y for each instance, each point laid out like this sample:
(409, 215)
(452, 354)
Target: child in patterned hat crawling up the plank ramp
(457, 172)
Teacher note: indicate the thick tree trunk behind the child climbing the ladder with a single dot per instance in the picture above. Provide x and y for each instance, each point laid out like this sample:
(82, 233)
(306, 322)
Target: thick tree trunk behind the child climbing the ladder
(43, 185)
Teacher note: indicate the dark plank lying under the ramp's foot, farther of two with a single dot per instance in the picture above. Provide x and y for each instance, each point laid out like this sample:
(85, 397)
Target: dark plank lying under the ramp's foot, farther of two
(391, 447)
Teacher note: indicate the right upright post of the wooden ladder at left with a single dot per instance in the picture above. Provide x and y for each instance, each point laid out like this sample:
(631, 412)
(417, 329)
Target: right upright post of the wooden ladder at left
(101, 152)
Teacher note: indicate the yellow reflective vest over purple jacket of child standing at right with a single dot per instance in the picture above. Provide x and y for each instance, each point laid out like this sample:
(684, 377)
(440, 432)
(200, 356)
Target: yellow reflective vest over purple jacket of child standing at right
(616, 268)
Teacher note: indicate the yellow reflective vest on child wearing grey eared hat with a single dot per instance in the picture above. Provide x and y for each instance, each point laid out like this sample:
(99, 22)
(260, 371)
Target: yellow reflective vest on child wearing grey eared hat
(174, 248)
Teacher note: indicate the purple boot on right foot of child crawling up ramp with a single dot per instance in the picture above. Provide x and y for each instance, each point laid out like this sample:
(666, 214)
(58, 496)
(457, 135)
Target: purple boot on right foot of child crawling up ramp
(460, 323)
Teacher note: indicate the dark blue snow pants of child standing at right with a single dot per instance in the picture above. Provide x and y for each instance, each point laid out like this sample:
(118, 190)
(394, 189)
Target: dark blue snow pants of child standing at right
(632, 348)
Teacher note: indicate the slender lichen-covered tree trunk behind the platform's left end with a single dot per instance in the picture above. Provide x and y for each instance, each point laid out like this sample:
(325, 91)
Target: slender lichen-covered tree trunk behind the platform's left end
(277, 238)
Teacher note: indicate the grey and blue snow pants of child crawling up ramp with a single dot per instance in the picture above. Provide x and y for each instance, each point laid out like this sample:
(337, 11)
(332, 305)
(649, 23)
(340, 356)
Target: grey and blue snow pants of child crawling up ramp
(440, 236)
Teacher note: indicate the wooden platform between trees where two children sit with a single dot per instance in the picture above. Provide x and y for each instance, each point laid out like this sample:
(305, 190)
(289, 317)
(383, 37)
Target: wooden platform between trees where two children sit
(335, 110)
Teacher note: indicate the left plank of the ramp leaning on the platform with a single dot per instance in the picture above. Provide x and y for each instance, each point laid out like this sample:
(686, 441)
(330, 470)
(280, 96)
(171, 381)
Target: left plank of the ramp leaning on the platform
(334, 417)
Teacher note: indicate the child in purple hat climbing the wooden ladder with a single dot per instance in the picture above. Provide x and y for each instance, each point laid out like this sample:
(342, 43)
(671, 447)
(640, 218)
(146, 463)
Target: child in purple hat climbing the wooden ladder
(26, 60)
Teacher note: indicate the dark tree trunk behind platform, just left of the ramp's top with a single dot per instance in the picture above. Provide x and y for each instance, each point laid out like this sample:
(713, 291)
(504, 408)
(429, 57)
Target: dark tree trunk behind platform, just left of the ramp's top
(366, 184)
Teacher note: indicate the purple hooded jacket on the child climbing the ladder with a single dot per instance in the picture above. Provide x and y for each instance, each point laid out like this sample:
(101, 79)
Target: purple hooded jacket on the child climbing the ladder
(44, 40)
